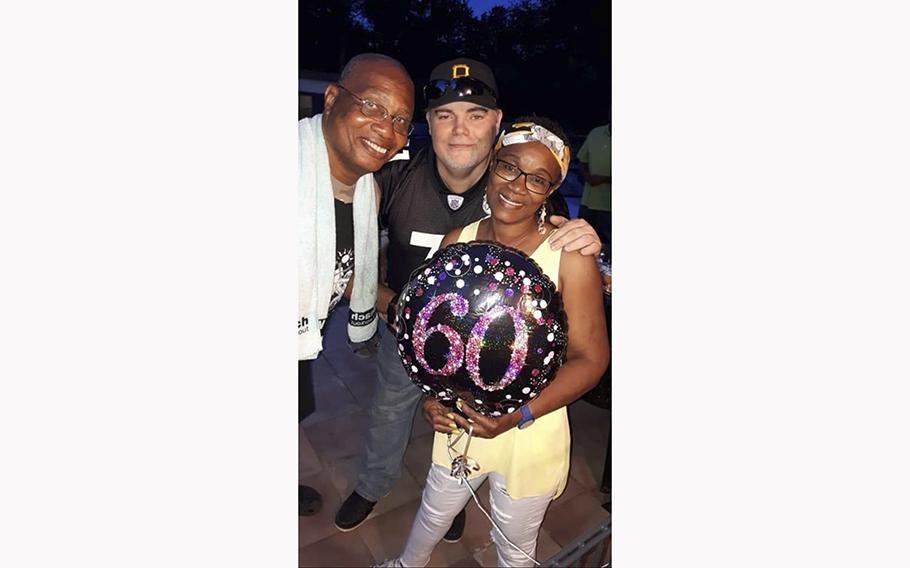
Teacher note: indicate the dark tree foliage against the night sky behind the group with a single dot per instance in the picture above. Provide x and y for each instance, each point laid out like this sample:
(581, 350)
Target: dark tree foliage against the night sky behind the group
(550, 57)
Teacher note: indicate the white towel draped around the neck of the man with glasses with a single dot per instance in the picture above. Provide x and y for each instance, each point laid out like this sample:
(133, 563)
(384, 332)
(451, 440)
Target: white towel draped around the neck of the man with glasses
(316, 245)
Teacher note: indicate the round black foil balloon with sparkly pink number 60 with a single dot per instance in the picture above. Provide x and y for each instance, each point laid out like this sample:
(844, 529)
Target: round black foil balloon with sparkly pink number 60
(482, 323)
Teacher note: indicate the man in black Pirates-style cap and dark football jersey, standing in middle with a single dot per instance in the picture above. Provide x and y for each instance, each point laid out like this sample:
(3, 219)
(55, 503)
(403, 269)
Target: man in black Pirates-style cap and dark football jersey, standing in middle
(439, 189)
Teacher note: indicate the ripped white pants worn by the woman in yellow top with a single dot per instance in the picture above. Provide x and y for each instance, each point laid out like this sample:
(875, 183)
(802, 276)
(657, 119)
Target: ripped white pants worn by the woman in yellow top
(444, 497)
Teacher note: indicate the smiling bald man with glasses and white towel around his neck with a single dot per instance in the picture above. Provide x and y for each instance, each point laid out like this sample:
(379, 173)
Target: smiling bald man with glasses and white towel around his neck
(366, 121)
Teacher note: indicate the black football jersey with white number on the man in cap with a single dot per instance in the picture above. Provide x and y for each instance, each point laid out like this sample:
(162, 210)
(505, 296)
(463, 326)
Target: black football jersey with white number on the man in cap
(418, 210)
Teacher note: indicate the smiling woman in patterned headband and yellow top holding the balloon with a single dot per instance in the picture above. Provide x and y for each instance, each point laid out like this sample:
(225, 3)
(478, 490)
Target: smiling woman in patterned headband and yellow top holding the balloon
(530, 161)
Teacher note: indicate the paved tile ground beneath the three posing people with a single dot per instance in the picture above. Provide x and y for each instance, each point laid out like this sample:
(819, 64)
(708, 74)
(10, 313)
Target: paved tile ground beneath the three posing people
(331, 445)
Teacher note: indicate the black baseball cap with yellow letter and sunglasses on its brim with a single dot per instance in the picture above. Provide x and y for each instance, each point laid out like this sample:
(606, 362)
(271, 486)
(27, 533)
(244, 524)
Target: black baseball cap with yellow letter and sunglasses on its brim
(461, 79)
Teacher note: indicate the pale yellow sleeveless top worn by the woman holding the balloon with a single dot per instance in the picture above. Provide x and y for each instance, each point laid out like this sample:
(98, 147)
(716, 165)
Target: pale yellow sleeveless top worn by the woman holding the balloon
(534, 461)
